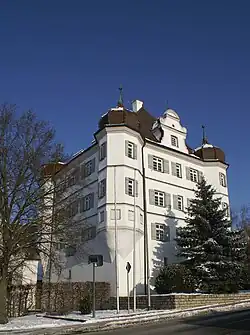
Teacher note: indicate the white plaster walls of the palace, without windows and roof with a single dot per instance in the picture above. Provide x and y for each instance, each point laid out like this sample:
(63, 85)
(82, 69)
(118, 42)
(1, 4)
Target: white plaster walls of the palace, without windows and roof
(123, 166)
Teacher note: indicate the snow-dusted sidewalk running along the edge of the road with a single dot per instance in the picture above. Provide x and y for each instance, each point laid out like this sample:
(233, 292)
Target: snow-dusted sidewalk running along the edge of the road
(41, 325)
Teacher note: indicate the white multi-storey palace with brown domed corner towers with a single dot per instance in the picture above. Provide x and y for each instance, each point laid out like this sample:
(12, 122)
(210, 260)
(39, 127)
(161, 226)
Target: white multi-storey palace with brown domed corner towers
(134, 184)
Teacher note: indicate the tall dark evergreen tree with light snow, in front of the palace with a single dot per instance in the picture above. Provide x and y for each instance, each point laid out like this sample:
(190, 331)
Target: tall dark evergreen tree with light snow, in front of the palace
(212, 250)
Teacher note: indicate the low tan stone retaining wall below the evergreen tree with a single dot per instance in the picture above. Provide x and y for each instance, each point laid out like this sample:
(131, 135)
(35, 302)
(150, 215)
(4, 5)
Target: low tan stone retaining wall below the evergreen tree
(177, 301)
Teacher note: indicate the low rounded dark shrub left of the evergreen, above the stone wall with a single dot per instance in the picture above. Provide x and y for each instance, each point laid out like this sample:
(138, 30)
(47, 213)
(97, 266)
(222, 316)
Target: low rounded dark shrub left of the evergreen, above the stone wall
(174, 278)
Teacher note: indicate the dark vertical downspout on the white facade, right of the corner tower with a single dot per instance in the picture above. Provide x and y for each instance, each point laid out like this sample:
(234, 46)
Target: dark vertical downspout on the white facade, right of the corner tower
(146, 251)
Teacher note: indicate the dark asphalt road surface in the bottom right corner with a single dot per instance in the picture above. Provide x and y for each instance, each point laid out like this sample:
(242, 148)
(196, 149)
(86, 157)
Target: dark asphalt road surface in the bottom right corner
(220, 324)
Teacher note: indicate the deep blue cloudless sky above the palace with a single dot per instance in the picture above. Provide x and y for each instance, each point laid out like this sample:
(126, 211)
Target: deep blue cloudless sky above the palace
(66, 59)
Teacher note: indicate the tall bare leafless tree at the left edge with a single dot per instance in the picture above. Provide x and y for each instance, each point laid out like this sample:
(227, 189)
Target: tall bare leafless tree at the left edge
(27, 194)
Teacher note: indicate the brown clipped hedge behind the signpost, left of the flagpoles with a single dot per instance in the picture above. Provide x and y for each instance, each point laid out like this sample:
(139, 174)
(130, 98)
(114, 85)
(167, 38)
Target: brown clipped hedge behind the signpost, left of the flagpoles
(65, 297)
